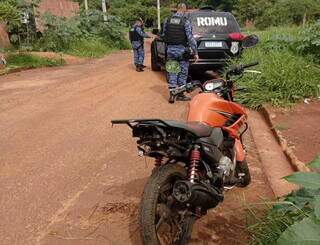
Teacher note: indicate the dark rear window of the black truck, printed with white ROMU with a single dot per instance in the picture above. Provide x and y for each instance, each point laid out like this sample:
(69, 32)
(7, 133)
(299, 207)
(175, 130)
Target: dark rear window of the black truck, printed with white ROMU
(207, 22)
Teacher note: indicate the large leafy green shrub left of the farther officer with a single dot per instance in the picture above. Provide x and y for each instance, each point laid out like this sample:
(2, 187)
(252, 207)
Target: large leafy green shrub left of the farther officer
(62, 34)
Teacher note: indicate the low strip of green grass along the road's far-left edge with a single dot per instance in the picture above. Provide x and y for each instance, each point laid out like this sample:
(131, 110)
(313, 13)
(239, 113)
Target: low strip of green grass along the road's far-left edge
(21, 60)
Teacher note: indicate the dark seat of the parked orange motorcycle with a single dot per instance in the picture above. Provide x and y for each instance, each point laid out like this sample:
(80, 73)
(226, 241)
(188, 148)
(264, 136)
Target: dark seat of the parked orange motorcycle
(197, 128)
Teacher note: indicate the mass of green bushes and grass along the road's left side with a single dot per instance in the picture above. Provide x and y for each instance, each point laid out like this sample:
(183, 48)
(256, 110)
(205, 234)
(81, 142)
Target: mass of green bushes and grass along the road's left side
(85, 34)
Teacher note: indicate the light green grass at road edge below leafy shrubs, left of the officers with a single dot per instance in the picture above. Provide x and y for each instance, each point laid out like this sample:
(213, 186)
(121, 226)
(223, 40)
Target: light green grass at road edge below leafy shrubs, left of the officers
(89, 48)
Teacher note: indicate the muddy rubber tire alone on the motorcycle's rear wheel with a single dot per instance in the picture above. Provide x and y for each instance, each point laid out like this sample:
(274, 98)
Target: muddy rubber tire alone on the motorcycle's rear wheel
(161, 177)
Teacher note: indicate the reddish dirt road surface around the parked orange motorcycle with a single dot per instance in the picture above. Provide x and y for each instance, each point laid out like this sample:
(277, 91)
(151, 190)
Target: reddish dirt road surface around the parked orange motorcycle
(67, 177)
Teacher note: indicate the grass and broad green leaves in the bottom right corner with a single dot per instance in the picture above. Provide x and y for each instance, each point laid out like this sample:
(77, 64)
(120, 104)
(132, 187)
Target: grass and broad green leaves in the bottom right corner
(295, 218)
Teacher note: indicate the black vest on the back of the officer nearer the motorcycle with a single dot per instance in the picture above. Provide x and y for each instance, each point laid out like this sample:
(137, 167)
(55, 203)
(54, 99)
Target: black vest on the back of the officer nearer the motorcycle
(175, 33)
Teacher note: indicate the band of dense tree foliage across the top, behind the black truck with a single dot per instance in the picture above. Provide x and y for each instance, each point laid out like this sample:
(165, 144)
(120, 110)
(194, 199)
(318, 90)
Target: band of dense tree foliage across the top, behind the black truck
(263, 13)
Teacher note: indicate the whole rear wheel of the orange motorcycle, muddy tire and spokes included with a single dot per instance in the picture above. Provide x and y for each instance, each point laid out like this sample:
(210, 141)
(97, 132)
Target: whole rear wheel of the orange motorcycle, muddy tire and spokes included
(162, 221)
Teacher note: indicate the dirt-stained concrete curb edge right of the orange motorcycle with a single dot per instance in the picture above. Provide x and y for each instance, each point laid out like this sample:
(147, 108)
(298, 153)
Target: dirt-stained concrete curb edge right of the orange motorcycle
(296, 164)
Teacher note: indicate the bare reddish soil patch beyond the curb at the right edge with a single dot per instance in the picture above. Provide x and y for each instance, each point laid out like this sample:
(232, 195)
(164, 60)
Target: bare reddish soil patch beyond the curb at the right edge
(300, 126)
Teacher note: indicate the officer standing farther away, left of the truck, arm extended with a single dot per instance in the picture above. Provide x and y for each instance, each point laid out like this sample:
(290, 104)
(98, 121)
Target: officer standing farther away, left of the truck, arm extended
(137, 36)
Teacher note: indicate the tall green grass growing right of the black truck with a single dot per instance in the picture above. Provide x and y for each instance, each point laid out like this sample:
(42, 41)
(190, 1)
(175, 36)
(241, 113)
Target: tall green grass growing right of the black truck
(286, 78)
